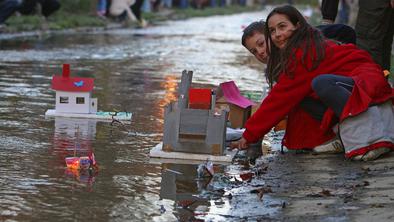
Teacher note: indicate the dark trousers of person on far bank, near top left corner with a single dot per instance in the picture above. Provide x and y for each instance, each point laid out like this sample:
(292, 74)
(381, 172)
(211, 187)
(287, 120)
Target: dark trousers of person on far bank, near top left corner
(47, 7)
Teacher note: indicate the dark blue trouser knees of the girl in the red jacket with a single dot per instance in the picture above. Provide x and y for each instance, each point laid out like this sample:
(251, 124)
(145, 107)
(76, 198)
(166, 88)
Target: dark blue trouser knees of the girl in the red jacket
(333, 91)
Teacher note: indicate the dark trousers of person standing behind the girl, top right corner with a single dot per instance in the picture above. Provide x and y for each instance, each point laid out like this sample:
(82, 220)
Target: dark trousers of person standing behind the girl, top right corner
(375, 29)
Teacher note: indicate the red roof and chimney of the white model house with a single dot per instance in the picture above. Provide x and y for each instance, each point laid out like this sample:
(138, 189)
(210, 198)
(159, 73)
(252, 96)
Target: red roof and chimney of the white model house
(71, 84)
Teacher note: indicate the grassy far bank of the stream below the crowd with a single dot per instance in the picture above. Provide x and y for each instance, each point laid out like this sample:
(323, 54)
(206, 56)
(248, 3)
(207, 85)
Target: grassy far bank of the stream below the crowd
(63, 20)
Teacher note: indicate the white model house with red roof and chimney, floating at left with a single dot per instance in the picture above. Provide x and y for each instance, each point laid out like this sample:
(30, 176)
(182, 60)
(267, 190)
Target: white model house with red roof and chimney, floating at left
(73, 94)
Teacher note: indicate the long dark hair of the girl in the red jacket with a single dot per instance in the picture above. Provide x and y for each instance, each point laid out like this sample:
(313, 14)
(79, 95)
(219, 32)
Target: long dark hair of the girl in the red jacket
(305, 37)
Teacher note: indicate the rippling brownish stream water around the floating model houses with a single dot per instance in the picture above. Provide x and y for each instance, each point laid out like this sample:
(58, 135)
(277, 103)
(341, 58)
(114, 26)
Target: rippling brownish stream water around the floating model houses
(136, 71)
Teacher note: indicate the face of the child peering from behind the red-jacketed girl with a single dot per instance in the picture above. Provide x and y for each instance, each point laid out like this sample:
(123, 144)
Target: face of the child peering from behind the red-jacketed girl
(257, 46)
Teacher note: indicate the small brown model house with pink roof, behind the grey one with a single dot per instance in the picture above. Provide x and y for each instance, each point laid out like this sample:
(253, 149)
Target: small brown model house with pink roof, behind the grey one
(229, 97)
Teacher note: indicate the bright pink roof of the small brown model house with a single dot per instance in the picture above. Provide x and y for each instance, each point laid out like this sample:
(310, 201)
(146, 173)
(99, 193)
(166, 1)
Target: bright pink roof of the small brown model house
(233, 96)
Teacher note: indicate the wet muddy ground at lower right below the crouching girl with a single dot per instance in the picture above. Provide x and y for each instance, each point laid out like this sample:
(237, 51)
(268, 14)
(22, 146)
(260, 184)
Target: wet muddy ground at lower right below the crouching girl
(330, 188)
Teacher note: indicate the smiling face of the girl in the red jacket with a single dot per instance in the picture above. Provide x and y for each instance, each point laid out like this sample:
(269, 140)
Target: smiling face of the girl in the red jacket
(280, 29)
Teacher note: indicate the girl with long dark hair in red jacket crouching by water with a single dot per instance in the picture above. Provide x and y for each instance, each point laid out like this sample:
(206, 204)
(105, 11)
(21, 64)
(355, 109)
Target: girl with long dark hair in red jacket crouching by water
(318, 83)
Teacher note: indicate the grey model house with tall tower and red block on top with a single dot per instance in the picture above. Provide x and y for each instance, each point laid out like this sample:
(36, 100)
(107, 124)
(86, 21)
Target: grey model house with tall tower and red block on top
(191, 125)
